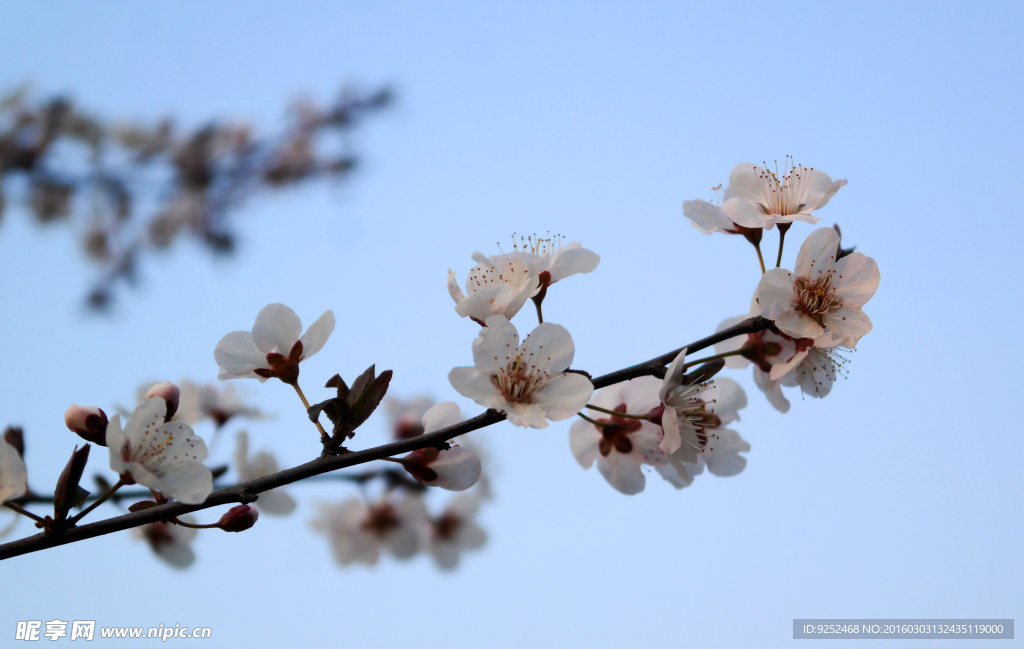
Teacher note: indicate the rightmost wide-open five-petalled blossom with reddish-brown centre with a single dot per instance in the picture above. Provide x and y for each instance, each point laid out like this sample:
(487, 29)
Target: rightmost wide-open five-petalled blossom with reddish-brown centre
(822, 296)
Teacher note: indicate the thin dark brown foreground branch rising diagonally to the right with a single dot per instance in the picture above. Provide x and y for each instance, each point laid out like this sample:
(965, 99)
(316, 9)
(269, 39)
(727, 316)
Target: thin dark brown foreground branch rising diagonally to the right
(248, 492)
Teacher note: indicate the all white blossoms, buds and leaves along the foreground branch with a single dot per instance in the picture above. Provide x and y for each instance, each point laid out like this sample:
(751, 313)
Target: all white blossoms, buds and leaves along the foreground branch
(673, 420)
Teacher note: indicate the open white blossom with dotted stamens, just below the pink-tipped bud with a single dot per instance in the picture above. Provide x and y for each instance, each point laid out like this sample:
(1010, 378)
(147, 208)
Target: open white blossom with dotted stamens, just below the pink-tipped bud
(165, 457)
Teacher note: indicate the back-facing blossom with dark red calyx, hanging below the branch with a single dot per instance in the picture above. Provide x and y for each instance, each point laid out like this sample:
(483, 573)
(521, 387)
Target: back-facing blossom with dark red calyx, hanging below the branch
(621, 446)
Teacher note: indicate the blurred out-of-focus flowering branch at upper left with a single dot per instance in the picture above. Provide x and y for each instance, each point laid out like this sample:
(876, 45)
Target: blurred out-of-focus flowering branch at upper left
(130, 189)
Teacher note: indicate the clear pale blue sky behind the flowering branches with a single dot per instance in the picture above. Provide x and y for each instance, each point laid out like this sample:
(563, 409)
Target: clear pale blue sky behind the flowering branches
(899, 496)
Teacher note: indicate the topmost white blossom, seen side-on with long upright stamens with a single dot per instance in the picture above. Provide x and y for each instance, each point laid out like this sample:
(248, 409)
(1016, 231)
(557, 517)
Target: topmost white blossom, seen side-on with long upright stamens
(761, 199)
